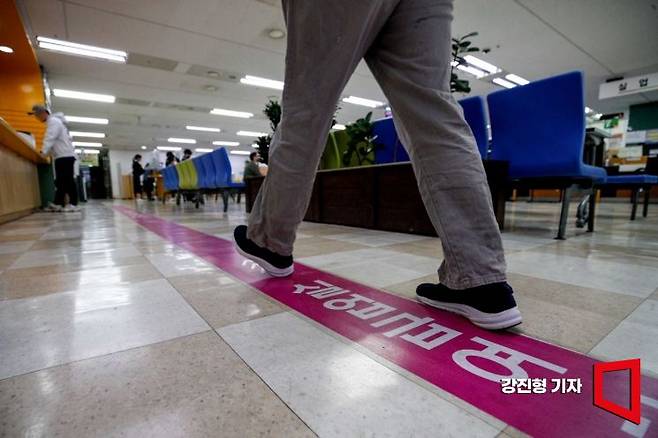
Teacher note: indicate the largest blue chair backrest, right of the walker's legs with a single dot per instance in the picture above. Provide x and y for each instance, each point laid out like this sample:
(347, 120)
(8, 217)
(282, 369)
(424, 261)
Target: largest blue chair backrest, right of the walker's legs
(540, 127)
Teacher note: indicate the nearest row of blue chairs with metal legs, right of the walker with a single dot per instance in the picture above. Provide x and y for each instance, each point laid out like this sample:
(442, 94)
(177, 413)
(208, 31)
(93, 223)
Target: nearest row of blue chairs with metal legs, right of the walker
(539, 128)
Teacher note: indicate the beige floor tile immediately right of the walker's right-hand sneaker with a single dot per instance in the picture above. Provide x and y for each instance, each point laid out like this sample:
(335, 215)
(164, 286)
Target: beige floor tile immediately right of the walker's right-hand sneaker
(568, 315)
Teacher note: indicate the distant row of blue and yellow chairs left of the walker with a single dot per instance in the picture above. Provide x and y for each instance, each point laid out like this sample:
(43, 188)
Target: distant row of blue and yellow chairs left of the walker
(207, 173)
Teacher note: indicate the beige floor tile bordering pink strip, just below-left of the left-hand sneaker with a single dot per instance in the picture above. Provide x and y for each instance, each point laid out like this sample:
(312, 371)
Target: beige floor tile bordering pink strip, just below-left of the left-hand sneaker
(221, 301)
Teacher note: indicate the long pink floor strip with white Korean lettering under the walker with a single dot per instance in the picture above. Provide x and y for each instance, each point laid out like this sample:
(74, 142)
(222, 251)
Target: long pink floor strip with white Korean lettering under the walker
(437, 346)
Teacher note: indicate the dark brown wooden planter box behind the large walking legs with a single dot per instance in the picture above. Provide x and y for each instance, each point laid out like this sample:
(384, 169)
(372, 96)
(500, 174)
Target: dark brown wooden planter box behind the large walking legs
(383, 197)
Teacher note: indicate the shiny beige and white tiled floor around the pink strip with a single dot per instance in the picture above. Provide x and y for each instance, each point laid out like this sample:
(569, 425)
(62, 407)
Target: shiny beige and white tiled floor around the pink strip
(107, 329)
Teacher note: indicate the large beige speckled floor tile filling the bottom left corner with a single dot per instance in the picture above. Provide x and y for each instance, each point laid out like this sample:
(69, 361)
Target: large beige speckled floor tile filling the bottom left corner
(194, 386)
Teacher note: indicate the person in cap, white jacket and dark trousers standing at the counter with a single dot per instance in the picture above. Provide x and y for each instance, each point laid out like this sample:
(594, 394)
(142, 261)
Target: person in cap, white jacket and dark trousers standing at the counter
(57, 144)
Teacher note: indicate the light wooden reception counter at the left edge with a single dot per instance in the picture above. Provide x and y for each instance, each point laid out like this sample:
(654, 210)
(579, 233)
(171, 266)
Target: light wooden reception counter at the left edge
(19, 175)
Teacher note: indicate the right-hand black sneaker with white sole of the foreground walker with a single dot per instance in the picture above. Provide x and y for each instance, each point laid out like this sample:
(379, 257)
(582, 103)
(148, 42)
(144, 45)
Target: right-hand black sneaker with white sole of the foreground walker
(490, 306)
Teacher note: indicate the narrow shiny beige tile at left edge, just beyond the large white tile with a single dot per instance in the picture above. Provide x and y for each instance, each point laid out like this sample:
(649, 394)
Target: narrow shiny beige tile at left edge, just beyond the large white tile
(15, 285)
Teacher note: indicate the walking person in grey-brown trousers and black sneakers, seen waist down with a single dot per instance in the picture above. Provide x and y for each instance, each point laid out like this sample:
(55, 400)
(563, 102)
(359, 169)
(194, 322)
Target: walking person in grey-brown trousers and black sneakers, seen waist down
(407, 46)
